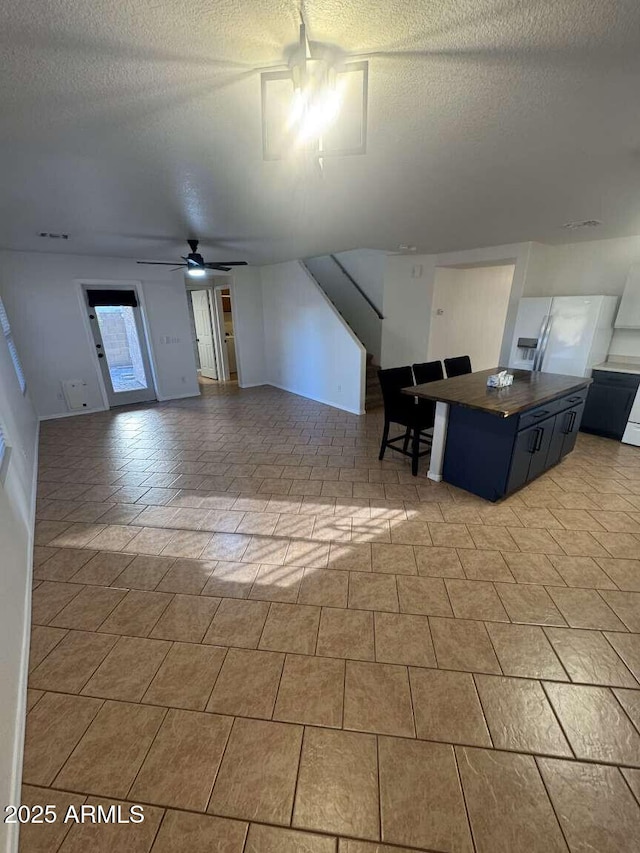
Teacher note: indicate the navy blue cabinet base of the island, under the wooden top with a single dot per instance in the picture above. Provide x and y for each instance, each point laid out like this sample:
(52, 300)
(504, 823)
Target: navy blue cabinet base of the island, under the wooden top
(492, 456)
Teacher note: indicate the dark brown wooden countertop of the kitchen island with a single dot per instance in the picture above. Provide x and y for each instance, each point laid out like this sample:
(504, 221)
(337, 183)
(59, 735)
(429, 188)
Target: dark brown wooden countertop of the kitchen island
(527, 391)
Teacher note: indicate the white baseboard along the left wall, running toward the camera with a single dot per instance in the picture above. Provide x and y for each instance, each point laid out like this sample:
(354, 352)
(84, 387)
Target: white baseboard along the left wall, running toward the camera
(21, 710)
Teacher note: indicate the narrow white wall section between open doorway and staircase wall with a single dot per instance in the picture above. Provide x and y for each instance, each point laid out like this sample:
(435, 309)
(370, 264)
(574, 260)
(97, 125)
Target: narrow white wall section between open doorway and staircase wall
(248, 326)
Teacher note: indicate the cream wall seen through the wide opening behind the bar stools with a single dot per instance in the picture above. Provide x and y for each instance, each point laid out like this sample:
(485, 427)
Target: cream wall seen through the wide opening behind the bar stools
(468, 313)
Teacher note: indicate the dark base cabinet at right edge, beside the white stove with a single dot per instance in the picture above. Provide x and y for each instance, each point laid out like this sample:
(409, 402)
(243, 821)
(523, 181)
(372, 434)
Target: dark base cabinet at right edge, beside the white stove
(609, 403)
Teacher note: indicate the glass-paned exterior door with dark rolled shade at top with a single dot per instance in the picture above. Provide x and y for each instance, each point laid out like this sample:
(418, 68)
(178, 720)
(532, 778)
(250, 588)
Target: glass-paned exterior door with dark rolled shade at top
(118, 333)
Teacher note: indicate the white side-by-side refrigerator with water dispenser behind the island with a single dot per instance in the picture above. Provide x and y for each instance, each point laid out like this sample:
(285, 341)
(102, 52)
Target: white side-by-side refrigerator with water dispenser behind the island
(563, 334)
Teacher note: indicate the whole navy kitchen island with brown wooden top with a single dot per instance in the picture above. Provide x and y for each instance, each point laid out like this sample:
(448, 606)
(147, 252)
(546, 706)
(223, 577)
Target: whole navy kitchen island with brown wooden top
(491, 441)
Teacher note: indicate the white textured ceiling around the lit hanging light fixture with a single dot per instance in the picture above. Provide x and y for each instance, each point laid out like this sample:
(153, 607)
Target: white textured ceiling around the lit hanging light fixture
(133, 124)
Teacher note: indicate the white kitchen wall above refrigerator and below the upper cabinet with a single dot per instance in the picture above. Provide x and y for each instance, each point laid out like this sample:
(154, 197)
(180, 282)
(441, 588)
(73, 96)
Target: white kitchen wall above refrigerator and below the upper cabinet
(592, 268)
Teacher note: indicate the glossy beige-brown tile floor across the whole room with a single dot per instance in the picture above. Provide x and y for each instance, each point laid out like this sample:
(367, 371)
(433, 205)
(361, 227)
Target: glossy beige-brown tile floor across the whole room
(275, 643)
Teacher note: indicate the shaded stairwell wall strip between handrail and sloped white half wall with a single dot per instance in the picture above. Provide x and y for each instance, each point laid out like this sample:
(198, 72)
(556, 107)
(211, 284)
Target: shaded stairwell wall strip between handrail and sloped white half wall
(350, 303)
